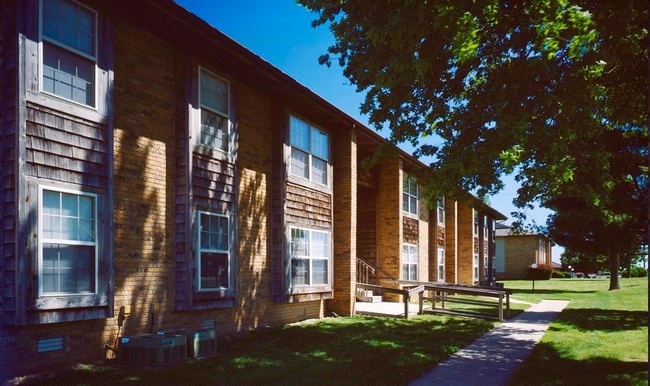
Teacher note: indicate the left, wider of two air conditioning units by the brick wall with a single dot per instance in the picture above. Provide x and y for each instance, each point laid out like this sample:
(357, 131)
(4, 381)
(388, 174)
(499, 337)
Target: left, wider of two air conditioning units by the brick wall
(152, 349)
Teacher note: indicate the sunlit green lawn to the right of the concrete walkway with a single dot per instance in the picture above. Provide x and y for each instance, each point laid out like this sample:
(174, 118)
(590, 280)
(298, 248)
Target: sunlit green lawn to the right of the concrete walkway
(601, 338)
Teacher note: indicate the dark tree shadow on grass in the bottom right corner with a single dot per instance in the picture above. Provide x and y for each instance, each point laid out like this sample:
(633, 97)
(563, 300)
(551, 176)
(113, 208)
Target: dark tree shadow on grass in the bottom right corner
(546, 367)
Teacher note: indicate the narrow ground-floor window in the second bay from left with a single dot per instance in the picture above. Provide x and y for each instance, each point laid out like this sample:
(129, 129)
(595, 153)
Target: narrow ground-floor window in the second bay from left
(213, 263)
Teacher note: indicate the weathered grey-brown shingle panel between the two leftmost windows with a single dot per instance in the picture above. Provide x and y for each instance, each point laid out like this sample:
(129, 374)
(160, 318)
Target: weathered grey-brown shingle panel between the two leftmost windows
(64, 148)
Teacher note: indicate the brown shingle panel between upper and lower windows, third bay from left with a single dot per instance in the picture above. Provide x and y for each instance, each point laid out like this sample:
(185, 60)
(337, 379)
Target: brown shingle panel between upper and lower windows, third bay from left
(308, 208)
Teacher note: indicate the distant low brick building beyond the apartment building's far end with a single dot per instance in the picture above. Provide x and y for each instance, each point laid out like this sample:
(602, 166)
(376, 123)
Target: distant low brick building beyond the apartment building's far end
(515, 252)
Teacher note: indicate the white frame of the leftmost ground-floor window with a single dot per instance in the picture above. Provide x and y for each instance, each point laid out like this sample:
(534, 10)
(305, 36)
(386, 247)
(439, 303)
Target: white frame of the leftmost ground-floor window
(42, 240)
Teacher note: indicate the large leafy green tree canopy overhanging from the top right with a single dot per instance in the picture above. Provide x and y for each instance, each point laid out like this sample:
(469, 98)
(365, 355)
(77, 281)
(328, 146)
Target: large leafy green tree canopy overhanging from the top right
(554, 92)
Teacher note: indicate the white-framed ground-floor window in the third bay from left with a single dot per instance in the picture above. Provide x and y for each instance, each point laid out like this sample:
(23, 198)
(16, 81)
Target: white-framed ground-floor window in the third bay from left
(310, 257)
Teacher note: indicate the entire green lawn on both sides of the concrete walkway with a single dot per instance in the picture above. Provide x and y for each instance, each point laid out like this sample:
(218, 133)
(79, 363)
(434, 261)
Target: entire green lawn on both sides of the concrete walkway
(600, 339)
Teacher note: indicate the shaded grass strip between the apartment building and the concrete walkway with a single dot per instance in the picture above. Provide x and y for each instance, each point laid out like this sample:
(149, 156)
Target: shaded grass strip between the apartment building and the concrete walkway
(333, 351)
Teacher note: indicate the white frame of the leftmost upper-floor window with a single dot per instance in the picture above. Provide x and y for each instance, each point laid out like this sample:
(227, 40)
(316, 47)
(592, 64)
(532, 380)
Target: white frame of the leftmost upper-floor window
(42, 39)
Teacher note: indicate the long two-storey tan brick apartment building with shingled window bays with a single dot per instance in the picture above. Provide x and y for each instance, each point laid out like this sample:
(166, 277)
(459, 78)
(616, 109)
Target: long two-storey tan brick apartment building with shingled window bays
(150, 162)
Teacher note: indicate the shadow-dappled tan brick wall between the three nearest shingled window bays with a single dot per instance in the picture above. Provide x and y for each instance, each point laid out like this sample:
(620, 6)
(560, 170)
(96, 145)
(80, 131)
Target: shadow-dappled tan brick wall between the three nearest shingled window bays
(144, 142)
